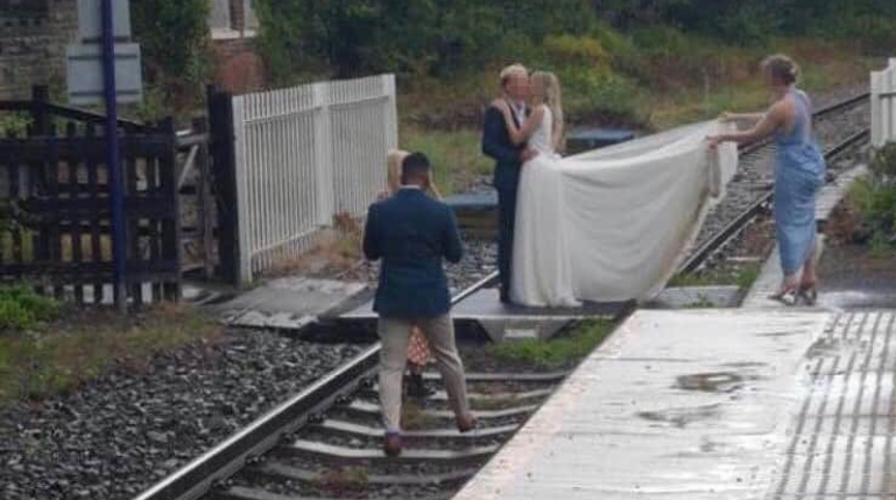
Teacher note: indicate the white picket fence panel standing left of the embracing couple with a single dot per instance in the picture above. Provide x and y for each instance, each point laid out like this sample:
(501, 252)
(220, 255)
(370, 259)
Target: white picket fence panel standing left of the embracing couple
(304, 155)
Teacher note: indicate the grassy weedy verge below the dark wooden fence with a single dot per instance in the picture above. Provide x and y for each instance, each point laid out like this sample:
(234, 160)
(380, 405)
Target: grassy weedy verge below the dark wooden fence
(52, 350)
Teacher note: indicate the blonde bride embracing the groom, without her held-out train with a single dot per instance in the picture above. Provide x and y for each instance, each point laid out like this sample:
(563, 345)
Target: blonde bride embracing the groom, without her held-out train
(541, 266)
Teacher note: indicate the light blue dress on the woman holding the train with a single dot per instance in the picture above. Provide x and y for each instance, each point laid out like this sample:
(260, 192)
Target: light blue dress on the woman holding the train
(799, 174)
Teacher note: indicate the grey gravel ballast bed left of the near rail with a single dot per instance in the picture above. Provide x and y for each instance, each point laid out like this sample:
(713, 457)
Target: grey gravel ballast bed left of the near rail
(115, 437)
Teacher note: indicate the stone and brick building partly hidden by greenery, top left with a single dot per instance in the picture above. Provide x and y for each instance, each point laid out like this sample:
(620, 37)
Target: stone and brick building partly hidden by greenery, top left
(34, 35)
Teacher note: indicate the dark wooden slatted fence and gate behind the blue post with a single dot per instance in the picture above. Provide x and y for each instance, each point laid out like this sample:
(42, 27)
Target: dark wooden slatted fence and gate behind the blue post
(55, 192)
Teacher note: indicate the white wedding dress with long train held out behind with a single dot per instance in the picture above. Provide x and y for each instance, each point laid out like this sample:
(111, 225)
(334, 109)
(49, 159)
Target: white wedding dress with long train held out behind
(613, 224)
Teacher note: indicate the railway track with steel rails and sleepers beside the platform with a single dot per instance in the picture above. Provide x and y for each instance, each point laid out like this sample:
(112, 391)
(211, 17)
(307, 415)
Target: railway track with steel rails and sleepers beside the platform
(325, 442)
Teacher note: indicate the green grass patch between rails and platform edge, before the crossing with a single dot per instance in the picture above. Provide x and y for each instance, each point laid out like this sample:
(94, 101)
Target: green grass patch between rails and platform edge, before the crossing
(562, 351)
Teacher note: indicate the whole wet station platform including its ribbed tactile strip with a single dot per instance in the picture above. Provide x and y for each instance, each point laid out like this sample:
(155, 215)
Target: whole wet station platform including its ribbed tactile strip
(720, 404)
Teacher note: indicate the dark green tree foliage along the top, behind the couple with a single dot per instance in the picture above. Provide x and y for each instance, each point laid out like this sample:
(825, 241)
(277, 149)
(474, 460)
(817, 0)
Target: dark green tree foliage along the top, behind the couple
(442, 37)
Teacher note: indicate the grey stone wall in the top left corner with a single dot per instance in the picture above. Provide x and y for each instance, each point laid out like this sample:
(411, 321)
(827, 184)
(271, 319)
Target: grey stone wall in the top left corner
(33, 43)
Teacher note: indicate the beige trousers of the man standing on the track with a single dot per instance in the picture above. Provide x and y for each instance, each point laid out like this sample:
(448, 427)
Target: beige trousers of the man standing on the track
(394, 334)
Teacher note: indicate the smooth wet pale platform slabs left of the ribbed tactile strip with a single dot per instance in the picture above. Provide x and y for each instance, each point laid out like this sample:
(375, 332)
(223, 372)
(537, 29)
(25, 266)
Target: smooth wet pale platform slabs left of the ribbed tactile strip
(675, 405)
